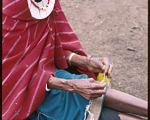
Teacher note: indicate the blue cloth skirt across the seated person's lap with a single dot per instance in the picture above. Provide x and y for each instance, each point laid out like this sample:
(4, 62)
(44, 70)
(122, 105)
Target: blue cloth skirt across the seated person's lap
(64, 105)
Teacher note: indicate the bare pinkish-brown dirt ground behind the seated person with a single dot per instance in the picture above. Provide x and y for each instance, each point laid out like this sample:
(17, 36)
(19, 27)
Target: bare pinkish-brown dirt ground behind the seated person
(117, 29)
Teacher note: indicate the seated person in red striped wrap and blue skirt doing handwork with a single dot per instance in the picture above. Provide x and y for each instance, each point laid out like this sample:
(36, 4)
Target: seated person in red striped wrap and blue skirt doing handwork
(48, 75)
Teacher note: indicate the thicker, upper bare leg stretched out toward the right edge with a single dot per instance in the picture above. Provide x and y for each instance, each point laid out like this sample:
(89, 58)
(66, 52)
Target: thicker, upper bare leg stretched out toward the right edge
(125, 103)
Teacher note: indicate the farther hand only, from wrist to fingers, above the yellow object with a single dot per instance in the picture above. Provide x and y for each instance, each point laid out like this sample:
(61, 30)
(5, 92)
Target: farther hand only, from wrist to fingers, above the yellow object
(96, 64)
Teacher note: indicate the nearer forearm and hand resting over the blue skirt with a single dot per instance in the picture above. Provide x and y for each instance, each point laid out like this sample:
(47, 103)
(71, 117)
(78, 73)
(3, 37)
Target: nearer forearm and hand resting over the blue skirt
(88, 88)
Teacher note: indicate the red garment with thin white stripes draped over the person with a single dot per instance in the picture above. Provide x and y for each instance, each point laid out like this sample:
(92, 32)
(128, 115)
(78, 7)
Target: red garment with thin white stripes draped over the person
(32, 49)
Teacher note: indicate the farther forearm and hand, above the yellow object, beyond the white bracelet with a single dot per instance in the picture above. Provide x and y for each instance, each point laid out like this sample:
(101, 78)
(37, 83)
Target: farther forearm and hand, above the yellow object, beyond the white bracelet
(94, 64)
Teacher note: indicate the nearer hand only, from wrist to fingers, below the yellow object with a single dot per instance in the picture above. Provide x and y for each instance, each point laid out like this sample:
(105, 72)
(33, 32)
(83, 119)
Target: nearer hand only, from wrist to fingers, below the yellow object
(88, 88)
